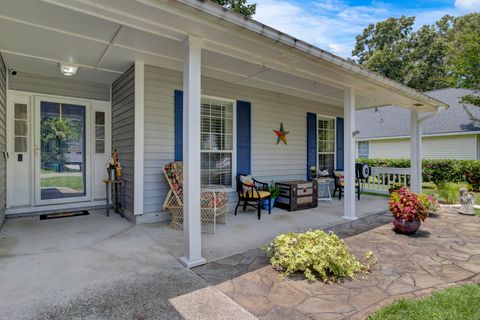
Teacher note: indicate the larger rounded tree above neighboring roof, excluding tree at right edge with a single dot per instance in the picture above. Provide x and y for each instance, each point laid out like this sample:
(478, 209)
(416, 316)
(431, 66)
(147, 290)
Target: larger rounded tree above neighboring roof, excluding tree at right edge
(391, 48)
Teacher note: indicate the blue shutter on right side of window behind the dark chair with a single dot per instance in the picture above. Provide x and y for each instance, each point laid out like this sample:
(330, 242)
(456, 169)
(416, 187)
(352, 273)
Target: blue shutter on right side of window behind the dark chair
(244, 137)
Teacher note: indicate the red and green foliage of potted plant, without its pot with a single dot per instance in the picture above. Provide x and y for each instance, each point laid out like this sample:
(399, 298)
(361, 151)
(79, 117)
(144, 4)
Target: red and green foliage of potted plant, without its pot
(407, 205)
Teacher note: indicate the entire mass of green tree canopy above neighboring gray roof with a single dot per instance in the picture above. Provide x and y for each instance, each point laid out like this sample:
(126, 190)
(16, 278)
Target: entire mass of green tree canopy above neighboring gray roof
(444, 54)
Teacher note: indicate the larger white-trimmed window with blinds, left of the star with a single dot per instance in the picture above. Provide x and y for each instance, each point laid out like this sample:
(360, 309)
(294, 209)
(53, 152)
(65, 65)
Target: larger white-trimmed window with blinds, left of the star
(217, 141)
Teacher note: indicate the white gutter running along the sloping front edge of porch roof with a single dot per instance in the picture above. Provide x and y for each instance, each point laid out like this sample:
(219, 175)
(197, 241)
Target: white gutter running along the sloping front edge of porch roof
(253, 25)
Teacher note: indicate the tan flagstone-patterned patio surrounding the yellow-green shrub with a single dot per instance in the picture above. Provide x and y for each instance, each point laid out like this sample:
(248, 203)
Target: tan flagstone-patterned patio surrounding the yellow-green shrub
(445, 253)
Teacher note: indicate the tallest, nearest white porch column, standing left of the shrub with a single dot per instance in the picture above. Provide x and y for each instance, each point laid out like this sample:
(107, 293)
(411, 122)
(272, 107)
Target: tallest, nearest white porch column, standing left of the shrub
(191, 152)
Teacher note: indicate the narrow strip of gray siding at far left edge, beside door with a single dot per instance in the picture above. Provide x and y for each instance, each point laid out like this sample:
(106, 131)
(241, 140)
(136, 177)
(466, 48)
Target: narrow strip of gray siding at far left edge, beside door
(3, 141)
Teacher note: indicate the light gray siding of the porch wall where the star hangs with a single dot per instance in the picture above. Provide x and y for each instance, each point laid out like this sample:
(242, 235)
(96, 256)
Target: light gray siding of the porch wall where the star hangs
(268, 110)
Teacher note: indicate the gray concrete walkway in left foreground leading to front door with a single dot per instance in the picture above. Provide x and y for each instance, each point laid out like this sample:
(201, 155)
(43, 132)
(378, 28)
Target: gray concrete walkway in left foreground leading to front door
(98, 267)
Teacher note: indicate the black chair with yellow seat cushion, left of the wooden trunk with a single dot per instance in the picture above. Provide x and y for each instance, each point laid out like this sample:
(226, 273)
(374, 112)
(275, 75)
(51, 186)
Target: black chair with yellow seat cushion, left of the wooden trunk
(252, 195)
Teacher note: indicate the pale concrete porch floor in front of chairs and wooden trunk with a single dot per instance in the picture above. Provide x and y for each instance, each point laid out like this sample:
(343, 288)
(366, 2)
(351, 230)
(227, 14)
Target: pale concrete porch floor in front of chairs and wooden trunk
(244, 232)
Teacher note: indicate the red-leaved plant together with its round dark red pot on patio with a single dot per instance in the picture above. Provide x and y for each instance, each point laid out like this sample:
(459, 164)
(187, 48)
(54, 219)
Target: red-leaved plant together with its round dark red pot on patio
(408, 211)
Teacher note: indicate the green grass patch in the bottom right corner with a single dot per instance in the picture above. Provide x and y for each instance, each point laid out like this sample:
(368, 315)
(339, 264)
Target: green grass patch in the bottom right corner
(460, 303)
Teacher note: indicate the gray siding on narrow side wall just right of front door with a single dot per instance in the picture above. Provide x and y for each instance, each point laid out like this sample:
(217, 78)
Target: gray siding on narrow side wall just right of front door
(123, 130)
